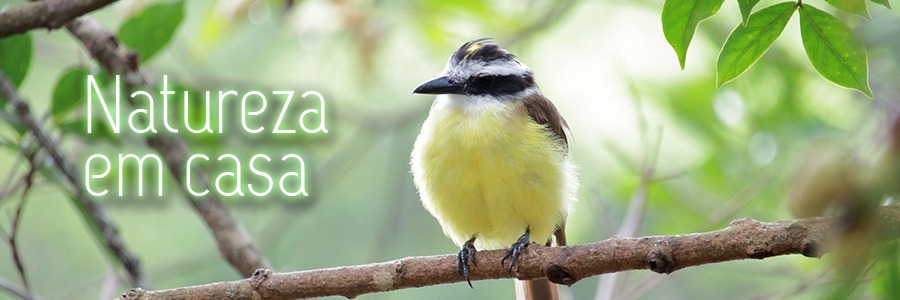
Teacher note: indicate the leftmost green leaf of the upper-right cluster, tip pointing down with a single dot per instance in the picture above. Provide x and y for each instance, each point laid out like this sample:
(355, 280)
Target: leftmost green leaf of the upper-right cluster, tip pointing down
(680, 19)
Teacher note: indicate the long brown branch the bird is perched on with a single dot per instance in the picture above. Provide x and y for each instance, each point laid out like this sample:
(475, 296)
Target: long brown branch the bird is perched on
(743, 239)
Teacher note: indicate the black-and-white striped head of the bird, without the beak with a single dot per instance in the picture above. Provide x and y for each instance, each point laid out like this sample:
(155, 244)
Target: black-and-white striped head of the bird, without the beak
(486, 69)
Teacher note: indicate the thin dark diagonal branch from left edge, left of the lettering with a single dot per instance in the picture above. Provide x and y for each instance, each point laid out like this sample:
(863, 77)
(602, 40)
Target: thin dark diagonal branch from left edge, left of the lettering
(96, 213)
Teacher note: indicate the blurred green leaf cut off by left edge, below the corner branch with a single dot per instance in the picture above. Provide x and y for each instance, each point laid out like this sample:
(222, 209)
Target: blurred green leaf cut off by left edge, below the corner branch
(15, 57)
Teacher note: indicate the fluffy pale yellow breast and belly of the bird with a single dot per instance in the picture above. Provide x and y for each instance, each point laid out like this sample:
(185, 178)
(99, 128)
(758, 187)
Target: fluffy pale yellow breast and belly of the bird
(488, 171)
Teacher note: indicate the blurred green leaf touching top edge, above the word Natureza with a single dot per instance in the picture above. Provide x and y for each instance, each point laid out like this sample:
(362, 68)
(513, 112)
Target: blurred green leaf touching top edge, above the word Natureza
(150, 30)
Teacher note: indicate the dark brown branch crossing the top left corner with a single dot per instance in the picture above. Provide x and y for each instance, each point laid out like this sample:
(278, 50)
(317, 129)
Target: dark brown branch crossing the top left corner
(48, 14)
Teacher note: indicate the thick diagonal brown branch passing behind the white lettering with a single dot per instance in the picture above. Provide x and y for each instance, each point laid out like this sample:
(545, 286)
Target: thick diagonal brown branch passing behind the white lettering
(235, 244)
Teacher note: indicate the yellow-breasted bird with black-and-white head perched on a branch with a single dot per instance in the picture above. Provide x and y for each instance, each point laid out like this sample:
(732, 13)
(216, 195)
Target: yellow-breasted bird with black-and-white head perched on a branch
(491, 161)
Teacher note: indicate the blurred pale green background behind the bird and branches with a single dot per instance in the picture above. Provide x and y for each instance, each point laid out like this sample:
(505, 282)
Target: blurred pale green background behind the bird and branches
(683, 155)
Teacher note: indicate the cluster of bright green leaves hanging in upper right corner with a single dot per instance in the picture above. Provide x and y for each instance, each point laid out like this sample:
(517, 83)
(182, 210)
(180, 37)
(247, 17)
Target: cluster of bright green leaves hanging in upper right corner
(833, 49)
